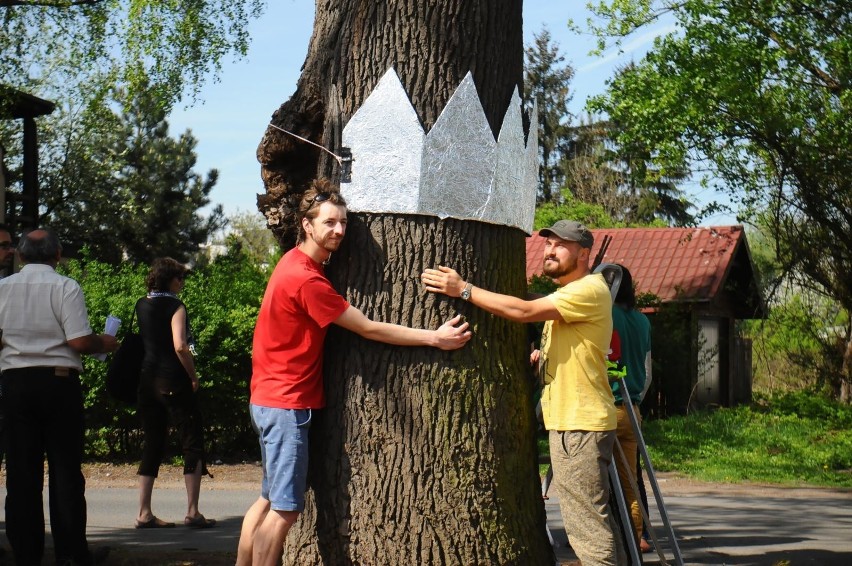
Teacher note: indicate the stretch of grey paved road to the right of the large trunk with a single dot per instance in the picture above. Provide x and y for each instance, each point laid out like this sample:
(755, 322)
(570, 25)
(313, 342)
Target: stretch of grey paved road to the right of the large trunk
(755, 527)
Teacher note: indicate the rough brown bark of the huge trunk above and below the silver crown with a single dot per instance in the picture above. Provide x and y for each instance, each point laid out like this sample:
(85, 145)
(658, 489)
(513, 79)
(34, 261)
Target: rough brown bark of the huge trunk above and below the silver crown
(422, 456)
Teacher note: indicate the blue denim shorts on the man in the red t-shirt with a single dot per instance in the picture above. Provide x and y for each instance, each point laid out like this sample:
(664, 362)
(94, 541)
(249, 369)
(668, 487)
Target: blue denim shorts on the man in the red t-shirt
(284, 450)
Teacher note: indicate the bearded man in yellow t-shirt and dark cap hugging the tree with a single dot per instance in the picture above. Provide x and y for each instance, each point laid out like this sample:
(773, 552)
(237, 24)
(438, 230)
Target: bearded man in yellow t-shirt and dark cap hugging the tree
(577, 402)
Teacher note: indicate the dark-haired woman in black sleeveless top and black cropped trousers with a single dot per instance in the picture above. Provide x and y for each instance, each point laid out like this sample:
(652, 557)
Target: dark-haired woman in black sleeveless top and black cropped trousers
(167, 392)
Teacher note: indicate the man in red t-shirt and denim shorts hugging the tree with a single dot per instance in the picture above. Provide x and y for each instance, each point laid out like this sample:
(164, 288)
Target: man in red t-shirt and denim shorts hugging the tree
(286, 385)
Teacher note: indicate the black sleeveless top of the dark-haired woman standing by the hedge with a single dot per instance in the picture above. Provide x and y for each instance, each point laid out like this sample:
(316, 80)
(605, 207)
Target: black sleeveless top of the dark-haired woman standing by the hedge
(155, 325)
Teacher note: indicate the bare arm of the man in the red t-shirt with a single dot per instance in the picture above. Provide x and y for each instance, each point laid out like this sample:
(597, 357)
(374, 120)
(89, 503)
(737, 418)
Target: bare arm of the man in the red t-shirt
(447, 337)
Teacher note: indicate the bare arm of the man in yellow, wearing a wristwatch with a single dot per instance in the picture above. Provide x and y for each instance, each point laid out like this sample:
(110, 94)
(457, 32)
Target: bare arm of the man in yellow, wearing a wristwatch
(447, 281)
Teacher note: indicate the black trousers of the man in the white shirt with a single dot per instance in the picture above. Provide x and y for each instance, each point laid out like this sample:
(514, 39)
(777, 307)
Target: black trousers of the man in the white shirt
(44, 416)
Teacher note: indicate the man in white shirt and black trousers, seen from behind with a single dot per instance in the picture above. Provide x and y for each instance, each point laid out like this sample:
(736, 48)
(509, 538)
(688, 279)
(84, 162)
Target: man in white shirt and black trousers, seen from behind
(45, 329)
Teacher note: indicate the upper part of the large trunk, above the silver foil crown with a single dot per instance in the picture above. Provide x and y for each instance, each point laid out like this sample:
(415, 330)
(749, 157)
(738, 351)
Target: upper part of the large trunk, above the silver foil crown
(431, 44)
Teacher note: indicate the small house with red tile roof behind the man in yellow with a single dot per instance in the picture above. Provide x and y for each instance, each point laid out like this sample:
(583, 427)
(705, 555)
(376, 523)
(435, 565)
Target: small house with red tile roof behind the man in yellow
(702, 281)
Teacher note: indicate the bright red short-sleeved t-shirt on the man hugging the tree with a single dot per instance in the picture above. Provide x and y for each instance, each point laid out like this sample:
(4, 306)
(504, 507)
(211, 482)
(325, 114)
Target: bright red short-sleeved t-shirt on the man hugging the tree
(298, 305)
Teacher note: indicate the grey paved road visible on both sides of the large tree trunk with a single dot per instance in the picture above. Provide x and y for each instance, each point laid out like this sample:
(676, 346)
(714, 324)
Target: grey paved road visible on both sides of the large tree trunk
(801, 527)
